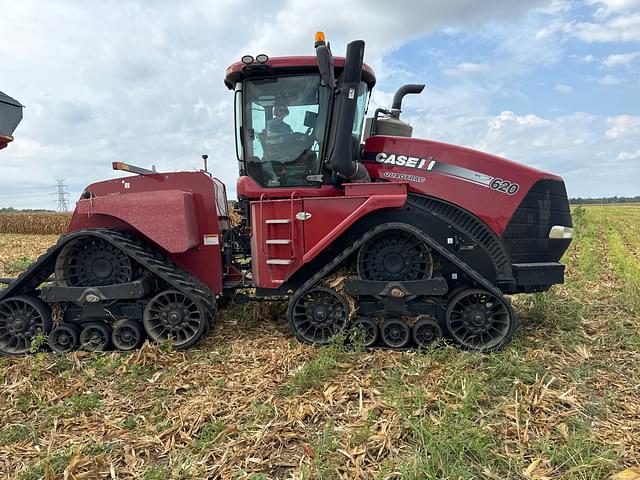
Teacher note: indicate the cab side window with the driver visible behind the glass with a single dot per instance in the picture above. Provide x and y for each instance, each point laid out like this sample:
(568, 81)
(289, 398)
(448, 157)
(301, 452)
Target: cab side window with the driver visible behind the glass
(282, 129)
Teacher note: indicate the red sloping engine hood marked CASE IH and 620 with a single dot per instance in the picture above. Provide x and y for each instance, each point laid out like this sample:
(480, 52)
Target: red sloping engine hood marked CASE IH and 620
(493, 207)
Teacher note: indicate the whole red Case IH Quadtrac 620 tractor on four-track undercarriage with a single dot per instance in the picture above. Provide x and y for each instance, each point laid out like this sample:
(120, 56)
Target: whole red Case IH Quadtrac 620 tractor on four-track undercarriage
(424, 238)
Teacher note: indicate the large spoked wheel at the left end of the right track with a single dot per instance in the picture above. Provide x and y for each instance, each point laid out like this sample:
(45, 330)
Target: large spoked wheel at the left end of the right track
(317, 315)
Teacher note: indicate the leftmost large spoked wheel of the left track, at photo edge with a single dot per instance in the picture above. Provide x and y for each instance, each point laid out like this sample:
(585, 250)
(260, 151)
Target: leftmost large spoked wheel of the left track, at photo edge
(21, 319)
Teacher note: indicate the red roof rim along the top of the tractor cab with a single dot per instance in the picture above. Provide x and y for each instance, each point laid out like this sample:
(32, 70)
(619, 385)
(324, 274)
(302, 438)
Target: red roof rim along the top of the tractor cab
(301, 63)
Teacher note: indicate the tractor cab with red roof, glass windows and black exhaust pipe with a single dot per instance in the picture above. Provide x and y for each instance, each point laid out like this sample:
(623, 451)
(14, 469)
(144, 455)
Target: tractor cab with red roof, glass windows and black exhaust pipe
(294, 126)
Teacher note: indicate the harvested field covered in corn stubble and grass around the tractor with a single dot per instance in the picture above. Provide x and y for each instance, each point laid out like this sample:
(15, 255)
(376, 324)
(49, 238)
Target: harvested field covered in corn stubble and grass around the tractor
(562, 401)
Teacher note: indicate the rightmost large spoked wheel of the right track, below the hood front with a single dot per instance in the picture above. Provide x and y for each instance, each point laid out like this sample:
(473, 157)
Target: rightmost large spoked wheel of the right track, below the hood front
(478, 320)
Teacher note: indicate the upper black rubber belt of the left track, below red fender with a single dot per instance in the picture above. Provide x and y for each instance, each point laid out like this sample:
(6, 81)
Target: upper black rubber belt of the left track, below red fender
(145, 255)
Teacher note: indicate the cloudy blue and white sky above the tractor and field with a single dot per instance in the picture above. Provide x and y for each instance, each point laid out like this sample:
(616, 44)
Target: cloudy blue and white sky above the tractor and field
(552, 84)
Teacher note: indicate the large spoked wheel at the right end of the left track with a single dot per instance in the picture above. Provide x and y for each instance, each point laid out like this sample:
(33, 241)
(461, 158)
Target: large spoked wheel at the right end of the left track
(173, 315)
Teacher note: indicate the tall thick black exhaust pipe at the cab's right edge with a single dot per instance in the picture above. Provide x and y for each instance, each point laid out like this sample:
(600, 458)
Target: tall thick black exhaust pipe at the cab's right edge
(342, 158)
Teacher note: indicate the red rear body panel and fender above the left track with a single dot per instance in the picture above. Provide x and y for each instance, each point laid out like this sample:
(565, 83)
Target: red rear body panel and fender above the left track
(166, 198)
